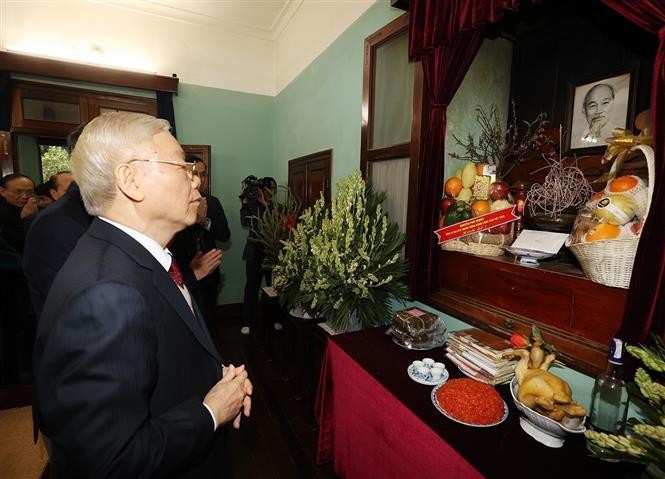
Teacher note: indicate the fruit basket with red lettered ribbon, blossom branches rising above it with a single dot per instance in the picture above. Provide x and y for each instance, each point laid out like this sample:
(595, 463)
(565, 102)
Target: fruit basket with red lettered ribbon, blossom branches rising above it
(471, 192)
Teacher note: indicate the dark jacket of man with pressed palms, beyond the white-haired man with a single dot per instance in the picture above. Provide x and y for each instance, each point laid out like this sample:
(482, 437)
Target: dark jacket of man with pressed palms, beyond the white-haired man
(194, 238)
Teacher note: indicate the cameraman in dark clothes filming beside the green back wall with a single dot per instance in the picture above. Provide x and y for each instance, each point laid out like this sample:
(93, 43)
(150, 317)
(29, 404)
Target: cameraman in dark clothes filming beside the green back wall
(256, 197)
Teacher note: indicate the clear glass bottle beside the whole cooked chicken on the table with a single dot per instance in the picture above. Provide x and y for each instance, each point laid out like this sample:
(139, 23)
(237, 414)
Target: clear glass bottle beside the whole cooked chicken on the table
(609, 399)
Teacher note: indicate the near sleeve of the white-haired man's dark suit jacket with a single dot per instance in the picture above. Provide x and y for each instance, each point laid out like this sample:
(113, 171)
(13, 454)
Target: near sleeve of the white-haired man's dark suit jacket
(100, 361)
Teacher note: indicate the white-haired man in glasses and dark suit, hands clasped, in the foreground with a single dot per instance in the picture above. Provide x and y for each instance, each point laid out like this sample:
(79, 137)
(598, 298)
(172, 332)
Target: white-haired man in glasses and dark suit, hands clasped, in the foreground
(128, 381)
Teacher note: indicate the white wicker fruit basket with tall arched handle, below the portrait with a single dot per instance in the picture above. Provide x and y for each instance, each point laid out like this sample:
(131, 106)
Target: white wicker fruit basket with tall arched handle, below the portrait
(607, 230)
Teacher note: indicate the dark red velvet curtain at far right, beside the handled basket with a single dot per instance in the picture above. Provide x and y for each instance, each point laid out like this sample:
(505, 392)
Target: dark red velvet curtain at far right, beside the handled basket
(645, 309)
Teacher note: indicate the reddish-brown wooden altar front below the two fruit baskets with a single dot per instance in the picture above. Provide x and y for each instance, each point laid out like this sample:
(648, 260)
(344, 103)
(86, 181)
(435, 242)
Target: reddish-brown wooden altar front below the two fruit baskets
(496, 294)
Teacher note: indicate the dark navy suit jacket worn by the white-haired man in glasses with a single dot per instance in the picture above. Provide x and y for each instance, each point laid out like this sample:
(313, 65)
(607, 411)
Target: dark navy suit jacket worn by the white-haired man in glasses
(122, 366)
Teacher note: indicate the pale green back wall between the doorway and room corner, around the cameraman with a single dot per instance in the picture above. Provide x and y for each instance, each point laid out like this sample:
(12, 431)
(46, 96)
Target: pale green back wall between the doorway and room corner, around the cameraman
(239, 128)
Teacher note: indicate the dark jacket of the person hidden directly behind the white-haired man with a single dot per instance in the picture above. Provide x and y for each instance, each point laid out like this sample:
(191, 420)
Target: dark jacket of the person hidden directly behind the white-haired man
(51, 237)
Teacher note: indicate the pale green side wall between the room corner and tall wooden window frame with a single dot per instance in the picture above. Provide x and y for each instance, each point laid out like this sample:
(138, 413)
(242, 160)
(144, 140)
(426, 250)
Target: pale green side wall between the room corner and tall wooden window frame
(321, 108)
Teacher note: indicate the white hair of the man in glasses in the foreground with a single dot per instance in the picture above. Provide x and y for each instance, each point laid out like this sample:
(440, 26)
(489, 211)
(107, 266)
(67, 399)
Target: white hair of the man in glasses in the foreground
(107, 141)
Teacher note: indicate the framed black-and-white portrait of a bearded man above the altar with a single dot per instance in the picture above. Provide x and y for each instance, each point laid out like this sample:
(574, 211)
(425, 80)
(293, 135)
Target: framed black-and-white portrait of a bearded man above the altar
(596, 107)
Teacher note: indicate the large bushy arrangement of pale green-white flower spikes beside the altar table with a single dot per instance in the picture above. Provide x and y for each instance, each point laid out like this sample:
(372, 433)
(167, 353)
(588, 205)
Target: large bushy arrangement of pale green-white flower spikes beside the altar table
(344, 262)
